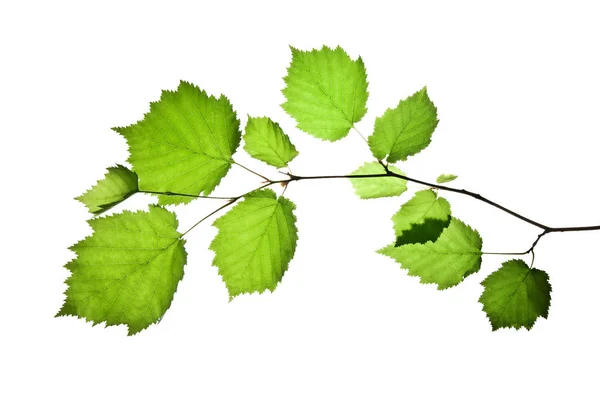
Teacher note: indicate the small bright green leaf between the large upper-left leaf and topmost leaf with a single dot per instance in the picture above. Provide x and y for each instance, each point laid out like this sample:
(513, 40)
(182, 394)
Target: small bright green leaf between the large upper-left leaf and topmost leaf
(265, 140)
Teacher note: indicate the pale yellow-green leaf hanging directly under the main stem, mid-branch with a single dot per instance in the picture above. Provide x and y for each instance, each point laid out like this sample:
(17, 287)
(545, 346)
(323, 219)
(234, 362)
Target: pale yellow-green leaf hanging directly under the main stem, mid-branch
(369, 188)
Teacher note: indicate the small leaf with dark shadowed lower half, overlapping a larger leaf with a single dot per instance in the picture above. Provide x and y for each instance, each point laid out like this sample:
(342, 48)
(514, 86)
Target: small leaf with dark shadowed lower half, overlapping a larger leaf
(421, 219)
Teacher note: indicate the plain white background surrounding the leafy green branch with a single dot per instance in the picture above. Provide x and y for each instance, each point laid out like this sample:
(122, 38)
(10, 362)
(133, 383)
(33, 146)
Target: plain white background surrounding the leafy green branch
(516, 86)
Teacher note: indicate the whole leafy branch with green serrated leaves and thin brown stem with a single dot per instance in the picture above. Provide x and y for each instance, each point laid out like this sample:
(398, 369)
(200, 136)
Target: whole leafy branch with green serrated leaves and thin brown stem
(128, 270)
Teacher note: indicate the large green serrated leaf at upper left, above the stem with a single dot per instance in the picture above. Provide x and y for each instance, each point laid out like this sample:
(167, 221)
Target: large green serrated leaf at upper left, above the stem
(185, 143)
